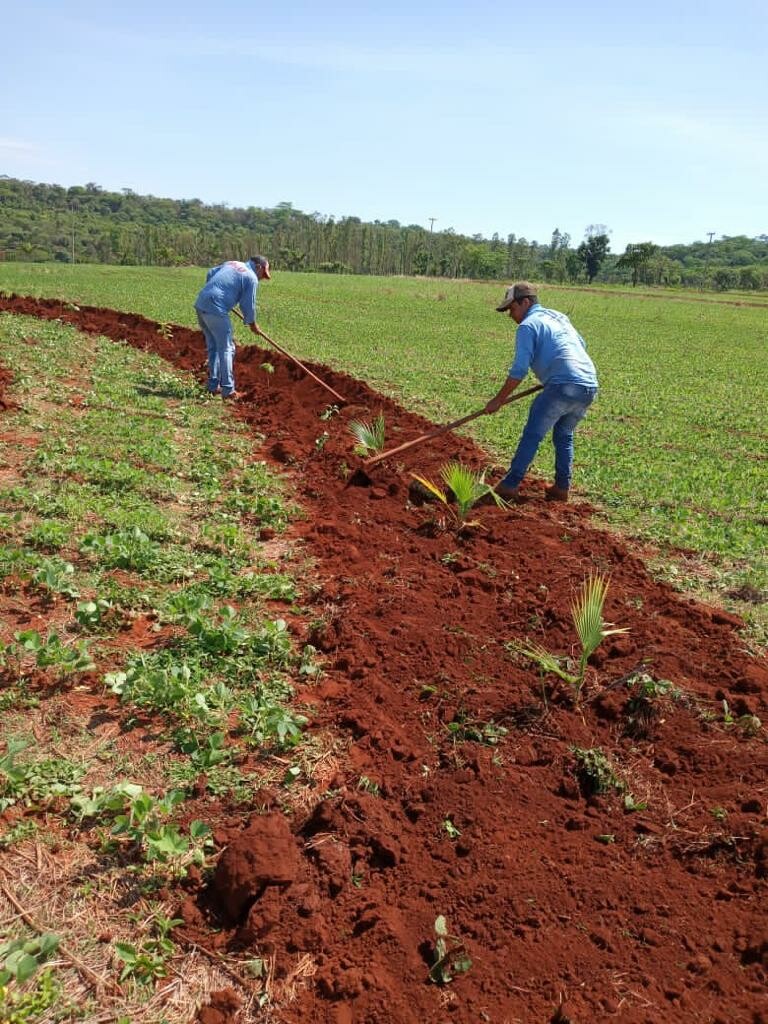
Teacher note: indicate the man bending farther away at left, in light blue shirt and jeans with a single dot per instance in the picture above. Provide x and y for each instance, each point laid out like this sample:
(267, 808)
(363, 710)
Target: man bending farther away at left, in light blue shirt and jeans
(227, 286)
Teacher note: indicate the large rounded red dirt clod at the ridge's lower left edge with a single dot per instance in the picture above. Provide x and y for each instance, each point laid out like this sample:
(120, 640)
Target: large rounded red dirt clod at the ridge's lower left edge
(265, 855)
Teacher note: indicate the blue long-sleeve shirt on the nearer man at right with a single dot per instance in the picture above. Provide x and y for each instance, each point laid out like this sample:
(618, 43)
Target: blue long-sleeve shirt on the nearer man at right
(549, 345)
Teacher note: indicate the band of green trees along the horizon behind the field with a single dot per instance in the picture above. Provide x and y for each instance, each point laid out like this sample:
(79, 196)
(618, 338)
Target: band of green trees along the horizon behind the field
(89, 225)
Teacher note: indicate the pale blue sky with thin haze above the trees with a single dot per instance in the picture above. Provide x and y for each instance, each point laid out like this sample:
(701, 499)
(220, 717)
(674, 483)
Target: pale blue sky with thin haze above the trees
(489, 117)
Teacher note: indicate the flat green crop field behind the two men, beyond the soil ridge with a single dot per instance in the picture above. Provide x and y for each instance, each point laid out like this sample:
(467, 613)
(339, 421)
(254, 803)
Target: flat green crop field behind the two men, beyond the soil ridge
(676, 450)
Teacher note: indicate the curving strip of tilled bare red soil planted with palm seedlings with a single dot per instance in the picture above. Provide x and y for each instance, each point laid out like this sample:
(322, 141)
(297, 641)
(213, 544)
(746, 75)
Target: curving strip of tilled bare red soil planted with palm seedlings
(572, 908)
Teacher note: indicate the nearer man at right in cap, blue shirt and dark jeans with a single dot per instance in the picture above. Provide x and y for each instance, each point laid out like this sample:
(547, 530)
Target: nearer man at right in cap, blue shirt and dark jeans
(547, 344)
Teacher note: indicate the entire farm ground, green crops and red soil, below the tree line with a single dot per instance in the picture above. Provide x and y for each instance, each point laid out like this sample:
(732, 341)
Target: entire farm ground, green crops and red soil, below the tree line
(287, 740)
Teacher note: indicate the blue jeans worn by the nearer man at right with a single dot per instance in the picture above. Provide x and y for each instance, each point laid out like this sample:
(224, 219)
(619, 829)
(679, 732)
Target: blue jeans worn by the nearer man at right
(560, 408)
